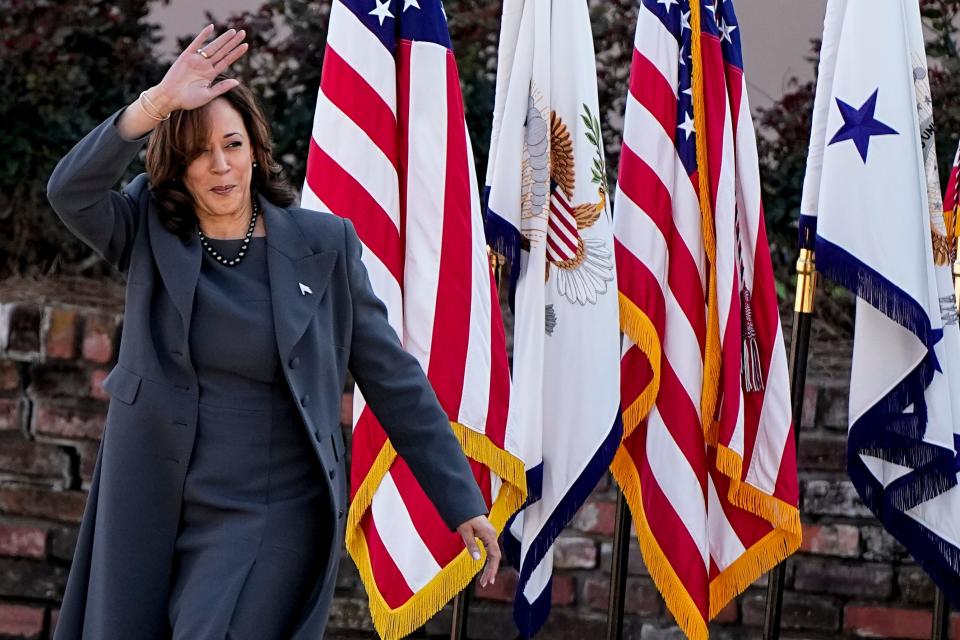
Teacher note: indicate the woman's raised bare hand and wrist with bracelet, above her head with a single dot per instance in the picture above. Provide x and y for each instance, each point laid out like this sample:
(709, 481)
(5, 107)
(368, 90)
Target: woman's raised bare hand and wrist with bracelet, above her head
(188, 84)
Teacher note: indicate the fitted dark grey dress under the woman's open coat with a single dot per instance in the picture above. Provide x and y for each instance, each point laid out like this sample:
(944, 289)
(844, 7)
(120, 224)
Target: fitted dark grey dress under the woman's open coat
(253, 538)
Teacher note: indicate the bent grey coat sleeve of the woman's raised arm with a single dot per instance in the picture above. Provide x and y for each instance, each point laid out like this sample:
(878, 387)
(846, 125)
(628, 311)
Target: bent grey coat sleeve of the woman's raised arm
(80, 191)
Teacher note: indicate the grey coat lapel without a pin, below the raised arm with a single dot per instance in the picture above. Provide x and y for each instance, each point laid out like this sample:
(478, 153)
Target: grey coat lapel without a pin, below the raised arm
(179, 265)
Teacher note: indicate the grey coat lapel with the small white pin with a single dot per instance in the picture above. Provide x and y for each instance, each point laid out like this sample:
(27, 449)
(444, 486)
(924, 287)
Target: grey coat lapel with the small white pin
(298, 276)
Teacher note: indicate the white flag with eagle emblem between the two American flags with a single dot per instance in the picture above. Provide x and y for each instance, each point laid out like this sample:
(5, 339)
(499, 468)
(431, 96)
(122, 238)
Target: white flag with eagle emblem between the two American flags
(547, 211)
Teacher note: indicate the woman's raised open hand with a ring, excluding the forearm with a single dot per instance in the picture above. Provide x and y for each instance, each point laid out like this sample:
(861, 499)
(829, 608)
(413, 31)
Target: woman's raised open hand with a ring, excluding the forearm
(189, 82)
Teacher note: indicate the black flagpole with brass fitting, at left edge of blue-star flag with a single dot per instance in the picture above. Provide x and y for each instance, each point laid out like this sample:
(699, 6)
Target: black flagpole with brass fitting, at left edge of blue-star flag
(799, 347)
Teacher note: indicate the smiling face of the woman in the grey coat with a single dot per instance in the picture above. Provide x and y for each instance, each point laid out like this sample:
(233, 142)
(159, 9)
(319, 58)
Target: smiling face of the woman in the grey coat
(219, 177)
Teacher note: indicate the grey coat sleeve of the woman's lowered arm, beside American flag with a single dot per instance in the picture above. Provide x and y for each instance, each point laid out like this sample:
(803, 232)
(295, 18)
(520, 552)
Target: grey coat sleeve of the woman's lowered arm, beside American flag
(398, 392)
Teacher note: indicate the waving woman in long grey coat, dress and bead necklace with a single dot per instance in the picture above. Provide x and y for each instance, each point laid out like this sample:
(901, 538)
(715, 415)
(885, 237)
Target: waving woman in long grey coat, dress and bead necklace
(218, 501)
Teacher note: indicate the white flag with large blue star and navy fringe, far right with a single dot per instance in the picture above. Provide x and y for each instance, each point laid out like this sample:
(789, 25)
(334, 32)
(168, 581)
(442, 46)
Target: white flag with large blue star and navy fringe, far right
(871, 194)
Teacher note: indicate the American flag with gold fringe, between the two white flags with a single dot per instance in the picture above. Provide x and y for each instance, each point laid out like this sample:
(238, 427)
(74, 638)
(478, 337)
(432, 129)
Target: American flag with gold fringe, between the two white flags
(707, 464)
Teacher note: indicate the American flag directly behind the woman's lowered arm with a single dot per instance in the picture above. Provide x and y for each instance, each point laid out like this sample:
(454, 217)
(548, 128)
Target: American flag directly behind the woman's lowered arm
(391, 152)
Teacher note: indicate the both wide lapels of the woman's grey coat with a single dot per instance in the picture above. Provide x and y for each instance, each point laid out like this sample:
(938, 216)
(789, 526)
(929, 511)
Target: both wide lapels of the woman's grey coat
(298, 276)
